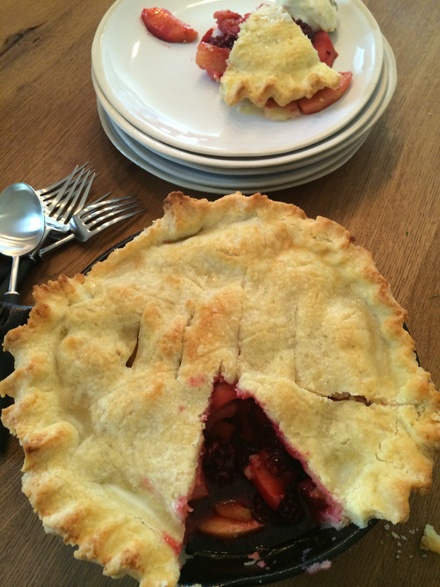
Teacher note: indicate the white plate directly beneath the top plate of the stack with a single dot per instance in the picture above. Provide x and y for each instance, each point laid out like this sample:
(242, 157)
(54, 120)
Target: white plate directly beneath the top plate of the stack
(257, 166)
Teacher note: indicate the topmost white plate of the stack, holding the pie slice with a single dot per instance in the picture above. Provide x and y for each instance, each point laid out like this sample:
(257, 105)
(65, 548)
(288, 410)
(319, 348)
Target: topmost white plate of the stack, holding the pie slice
(159, 89)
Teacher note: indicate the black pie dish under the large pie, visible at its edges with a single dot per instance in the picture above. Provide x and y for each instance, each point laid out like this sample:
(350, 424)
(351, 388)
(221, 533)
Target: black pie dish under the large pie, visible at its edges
(222, 568)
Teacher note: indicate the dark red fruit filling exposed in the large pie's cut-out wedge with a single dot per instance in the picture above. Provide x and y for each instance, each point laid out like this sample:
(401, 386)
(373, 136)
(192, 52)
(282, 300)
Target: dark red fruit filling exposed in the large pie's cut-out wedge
(247, 477)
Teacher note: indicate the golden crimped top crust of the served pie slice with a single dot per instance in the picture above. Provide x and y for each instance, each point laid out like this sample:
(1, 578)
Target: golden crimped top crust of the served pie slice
(293, 70)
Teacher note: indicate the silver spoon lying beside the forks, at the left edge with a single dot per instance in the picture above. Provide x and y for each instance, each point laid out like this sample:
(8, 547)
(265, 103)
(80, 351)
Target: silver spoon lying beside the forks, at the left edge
(22, 227)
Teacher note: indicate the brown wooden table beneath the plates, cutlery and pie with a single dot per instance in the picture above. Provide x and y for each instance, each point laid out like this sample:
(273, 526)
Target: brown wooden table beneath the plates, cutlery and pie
(387, 195)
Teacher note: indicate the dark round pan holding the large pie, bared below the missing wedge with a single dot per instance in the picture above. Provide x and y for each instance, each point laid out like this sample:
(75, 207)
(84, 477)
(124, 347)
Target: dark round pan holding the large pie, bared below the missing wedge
(282, 552)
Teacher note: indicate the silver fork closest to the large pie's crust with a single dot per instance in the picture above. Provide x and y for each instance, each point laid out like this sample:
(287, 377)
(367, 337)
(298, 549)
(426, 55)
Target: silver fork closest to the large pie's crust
(95, 217)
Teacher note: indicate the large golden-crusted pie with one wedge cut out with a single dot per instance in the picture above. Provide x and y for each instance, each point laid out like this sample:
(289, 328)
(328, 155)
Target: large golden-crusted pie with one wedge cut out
(115, 372)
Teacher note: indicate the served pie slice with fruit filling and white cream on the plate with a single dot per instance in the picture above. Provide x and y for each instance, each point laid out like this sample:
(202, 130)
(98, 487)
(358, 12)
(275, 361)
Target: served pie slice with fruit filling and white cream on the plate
(276, 60)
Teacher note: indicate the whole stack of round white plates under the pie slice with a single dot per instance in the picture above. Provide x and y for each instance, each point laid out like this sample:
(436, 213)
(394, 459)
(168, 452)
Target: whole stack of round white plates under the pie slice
(165, 114)
